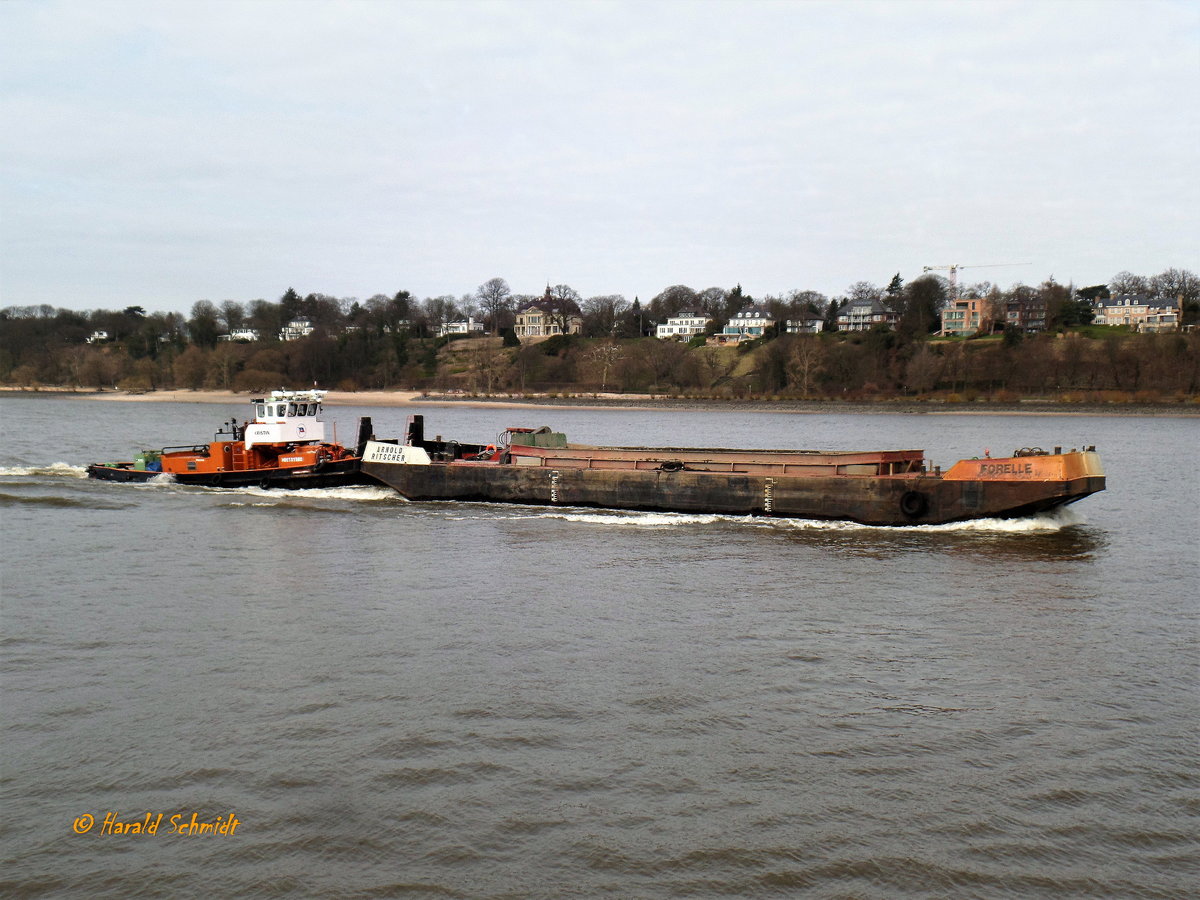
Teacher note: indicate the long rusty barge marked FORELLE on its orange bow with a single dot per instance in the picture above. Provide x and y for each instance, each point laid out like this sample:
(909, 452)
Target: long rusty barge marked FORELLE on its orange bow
(884, 488)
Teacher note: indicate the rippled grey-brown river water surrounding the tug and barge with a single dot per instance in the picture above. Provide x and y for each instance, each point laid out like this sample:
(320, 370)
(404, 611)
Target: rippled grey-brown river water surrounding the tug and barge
(478, 701)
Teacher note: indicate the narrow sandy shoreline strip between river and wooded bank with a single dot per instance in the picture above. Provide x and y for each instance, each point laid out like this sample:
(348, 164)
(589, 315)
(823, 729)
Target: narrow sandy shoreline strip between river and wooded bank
(626, 403)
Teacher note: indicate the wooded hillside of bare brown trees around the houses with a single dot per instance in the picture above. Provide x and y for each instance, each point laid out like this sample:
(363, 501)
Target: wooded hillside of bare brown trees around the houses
(389, 341)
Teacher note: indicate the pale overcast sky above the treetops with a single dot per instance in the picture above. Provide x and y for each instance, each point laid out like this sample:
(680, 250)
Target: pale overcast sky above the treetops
(160, 154)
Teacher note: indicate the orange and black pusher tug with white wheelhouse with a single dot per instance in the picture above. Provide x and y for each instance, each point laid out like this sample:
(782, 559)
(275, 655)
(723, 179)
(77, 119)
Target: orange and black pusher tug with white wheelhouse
(283, 447)
